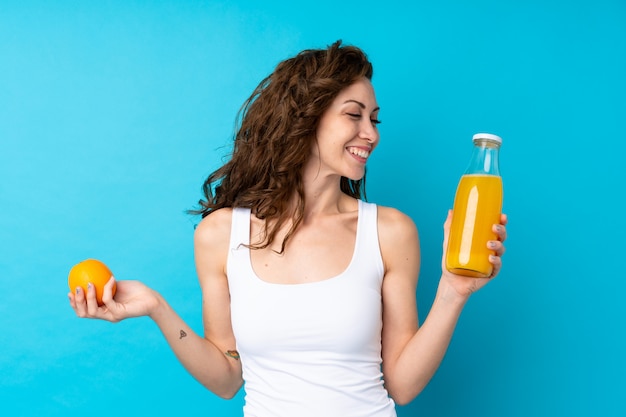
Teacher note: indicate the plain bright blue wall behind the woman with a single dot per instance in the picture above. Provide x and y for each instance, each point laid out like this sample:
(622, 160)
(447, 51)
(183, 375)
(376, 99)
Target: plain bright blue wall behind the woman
(113, 112)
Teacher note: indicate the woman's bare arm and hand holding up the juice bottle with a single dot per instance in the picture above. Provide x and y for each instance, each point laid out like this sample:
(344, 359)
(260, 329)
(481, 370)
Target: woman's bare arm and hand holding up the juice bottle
(411, 356)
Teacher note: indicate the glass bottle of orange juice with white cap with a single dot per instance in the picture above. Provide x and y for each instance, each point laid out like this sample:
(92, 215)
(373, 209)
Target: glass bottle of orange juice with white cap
(477, 207)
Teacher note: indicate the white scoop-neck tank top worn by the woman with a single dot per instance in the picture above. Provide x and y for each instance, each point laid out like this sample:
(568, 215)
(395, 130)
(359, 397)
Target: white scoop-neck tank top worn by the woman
(311, 349)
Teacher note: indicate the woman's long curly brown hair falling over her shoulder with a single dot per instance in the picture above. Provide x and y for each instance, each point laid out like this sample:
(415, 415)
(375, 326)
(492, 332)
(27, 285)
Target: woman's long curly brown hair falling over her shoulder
(272, 144)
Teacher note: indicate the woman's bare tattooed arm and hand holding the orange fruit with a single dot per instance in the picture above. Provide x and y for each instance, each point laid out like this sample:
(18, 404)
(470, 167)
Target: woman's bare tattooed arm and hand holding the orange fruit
(204, 357)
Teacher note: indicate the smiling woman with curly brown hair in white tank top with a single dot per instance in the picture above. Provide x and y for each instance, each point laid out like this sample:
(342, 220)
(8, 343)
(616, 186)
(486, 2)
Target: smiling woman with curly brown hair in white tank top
(308, 291)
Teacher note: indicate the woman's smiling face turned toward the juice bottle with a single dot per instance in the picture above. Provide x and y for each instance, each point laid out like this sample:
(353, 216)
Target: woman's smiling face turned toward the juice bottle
(347, 132)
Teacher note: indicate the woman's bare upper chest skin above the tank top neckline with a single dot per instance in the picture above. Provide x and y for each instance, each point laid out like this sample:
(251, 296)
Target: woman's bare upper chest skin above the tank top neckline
(322, 248)
